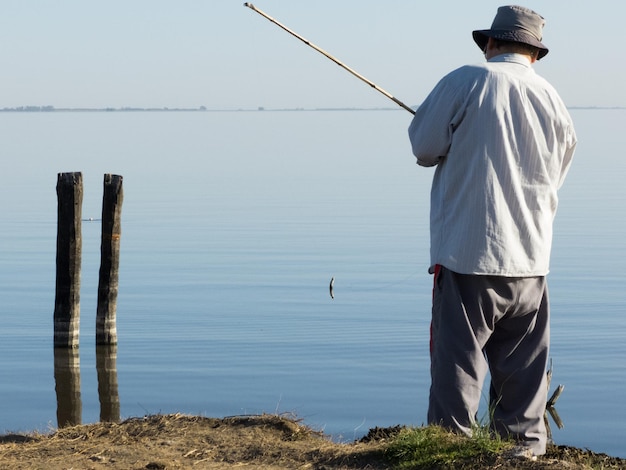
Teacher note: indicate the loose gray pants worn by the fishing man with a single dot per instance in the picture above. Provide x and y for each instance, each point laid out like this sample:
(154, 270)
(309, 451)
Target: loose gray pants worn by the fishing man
(496, 324)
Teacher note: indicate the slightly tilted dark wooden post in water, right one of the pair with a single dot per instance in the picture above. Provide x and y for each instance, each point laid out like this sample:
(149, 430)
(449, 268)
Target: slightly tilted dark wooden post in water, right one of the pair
(106, 329)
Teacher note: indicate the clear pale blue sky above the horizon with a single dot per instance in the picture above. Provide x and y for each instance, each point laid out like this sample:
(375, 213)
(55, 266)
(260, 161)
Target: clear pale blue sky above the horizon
(219, 54)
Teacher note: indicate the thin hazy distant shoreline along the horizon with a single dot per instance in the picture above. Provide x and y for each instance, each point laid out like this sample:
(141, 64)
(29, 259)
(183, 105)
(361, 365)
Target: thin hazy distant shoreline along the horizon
(127, 109)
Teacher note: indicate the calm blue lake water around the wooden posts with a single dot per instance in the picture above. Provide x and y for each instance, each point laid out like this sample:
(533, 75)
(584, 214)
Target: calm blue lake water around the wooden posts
(233, 225)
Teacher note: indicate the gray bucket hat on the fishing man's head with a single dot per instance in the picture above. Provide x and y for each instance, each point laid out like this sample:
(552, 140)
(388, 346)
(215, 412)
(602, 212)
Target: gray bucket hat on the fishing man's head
(516, 24)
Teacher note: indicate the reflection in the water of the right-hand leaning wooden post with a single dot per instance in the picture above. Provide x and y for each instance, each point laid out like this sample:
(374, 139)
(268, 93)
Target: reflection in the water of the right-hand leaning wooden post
(106, 367)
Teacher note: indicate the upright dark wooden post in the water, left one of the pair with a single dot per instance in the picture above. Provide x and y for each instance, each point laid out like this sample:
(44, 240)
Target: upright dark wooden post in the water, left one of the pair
(69, 253)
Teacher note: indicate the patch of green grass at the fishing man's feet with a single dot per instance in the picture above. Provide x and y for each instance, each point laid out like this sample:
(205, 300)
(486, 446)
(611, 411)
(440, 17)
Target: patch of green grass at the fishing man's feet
(434, 447)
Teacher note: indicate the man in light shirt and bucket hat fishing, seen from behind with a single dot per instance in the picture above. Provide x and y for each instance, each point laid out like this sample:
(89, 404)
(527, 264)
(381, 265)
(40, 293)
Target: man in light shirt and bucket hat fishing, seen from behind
(502, 141)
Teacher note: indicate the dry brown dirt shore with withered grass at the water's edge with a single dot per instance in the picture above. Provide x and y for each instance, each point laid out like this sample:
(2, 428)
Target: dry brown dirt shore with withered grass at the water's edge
(264, 442)
